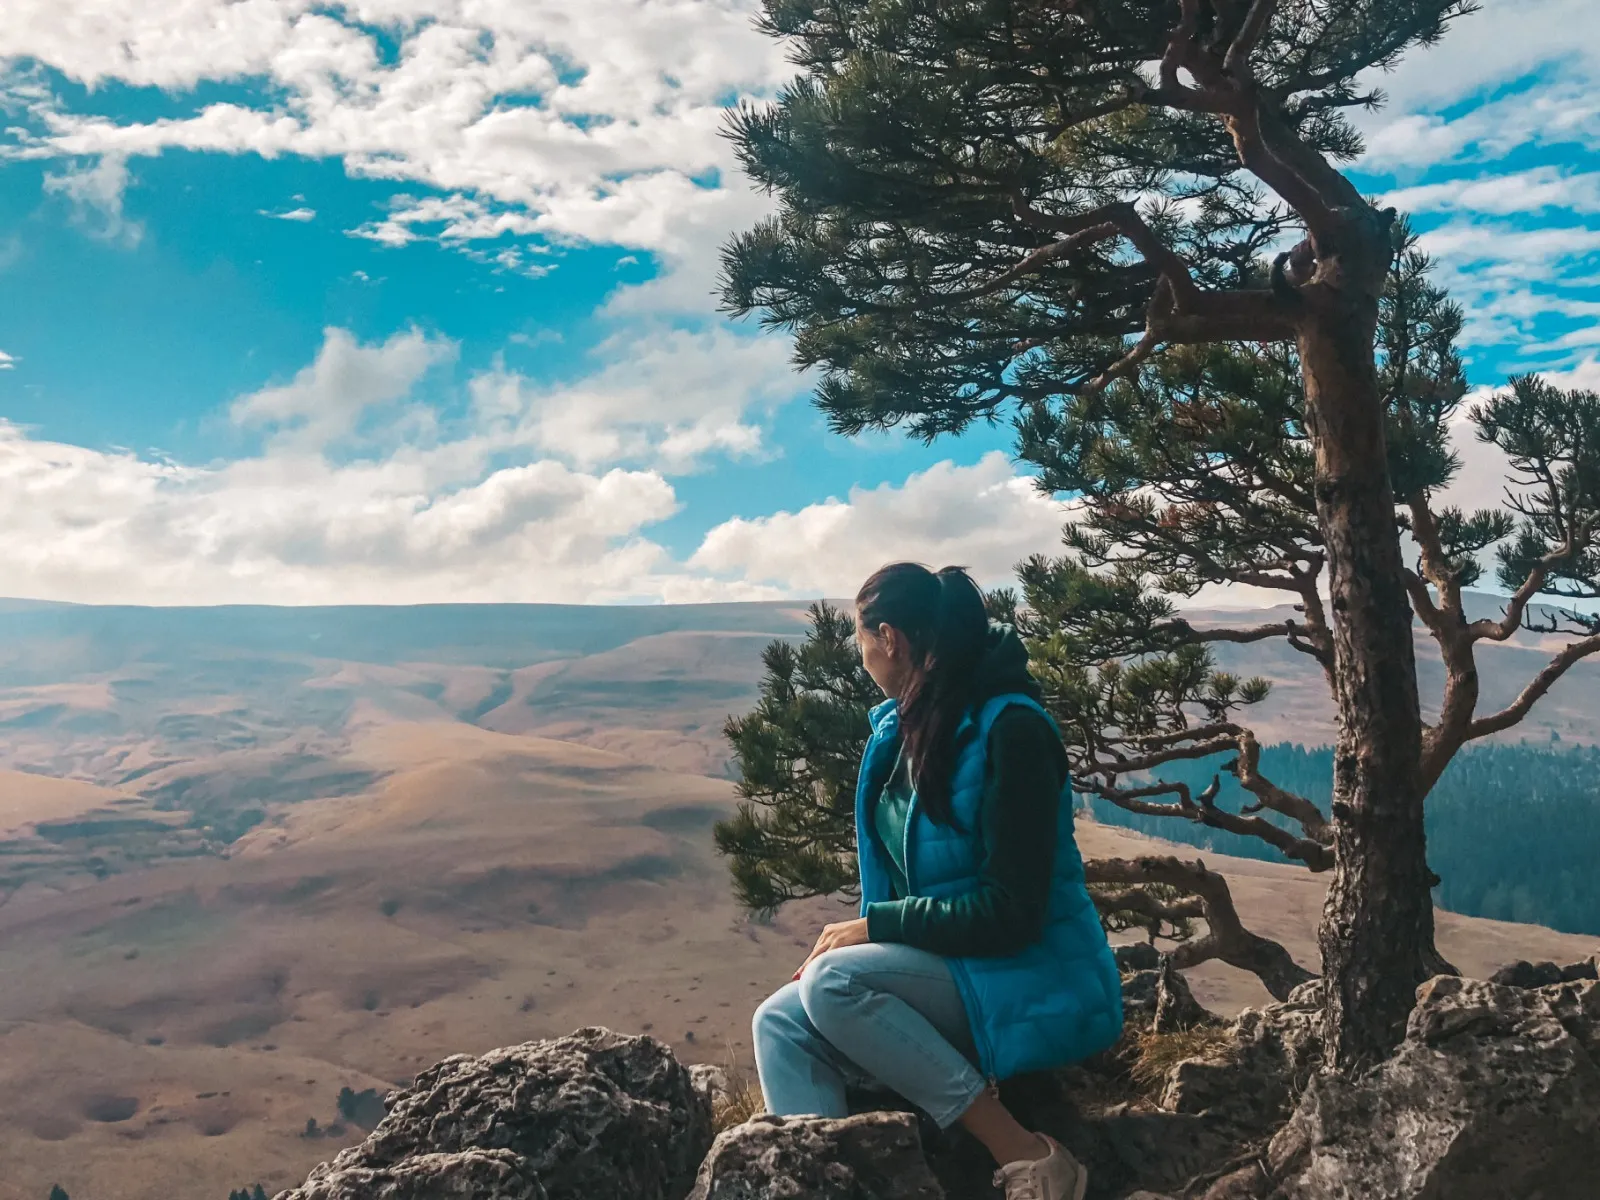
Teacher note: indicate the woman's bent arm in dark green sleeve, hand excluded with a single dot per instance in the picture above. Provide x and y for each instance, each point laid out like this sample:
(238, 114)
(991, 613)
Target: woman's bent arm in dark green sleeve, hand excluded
(1020, 810)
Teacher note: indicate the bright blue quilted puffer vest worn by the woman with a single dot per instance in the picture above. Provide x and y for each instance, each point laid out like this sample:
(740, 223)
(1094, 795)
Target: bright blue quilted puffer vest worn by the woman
(1057, 1002)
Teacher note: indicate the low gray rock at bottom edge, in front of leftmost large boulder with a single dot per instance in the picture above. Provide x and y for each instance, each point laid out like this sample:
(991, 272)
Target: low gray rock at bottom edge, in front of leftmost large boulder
(473, 1175)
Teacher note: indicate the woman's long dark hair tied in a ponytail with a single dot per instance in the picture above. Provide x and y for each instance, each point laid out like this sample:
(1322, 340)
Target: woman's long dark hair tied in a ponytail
(945, 620)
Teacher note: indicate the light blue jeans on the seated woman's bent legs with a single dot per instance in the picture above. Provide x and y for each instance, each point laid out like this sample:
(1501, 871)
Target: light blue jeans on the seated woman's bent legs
(868, 1015)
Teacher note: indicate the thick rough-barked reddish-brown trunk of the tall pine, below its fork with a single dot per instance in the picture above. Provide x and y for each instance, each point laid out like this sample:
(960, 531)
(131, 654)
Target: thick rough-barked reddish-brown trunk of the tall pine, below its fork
(1377, 929)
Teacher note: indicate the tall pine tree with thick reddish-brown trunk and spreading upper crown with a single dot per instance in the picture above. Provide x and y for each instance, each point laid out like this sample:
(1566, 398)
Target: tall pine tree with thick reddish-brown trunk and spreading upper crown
(999, 206)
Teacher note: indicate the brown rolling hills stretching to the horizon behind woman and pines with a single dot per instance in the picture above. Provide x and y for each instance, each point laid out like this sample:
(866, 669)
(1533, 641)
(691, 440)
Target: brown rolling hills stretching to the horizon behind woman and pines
(250, 858)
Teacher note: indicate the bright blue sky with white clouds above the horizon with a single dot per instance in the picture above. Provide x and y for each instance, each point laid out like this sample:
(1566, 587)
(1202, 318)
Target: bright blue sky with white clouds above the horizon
(412, 302)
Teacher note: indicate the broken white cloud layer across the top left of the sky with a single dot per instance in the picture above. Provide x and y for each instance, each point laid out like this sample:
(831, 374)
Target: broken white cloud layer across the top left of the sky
(596, 122)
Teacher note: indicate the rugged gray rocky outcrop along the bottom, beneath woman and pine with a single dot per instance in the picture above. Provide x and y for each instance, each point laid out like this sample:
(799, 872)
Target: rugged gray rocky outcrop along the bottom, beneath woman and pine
(1494, 1094)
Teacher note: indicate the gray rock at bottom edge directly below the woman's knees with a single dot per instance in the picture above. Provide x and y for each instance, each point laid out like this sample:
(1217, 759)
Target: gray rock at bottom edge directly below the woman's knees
(871, 1158)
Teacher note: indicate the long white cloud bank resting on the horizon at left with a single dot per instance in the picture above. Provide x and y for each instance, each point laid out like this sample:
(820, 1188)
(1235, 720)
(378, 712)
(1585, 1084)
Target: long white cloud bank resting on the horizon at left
(366, 492)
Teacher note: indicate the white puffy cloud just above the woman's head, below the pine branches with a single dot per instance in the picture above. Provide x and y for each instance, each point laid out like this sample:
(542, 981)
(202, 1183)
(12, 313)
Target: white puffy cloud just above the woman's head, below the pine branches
(985, 518)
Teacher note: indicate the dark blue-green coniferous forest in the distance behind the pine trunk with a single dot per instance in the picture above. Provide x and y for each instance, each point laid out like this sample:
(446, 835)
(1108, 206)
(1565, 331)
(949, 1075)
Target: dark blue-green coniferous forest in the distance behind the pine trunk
(1513, 831)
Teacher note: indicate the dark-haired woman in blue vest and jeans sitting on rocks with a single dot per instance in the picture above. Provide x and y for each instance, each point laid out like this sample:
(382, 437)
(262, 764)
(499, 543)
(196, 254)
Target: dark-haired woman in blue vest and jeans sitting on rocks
(978, 953)
